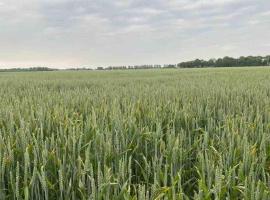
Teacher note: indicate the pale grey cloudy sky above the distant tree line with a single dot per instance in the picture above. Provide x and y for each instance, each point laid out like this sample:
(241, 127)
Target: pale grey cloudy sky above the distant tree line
(91, 33)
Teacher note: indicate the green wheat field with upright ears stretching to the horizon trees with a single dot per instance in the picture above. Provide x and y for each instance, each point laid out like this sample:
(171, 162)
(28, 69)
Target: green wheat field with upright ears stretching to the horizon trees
(135, 134)
